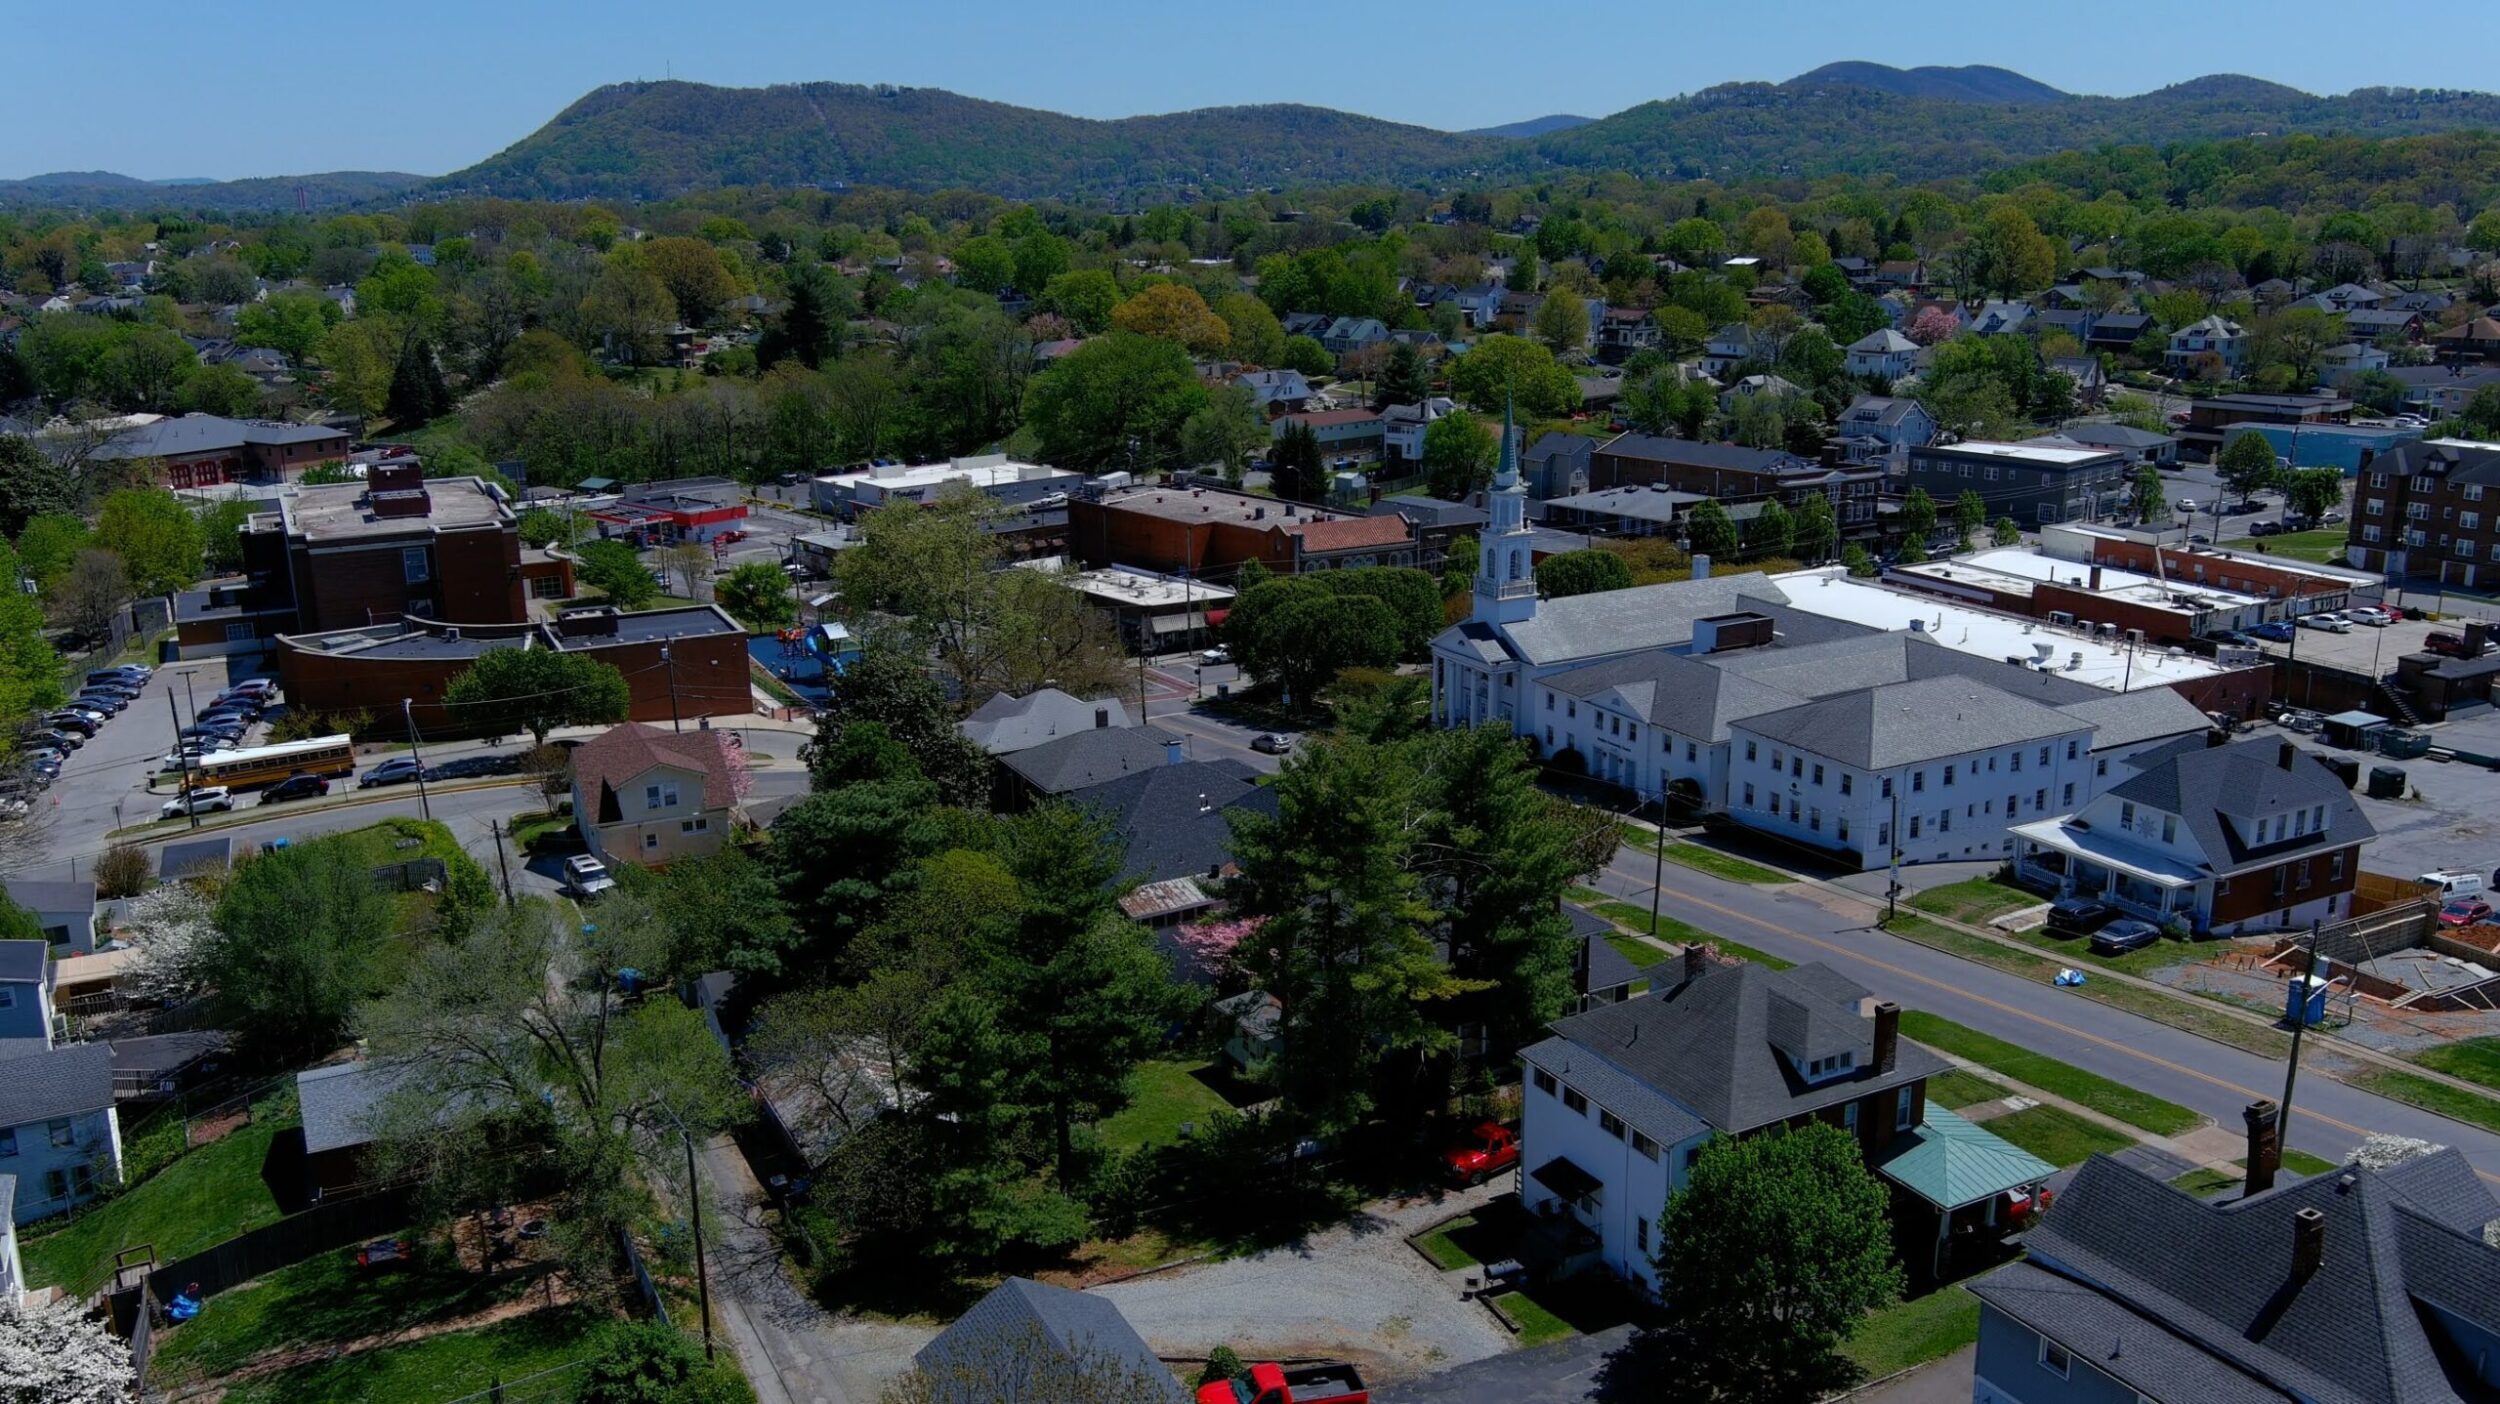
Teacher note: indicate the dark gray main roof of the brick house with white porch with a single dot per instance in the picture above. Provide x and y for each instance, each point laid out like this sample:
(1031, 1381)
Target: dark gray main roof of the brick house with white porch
(2249, 781)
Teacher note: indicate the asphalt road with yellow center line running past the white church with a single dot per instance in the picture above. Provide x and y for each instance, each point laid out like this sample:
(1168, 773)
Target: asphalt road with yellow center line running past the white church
(1809, 923)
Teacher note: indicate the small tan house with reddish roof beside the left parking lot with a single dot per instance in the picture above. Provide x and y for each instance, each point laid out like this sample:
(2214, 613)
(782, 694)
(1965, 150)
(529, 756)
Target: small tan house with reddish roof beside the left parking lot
(651, 796)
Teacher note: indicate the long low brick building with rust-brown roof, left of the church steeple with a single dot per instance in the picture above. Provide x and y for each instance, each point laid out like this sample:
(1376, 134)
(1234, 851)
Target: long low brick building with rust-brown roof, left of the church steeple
(1206, 531)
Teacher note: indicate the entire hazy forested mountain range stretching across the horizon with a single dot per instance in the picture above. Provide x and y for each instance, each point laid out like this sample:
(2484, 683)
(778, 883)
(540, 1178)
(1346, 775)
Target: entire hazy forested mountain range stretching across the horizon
(654, 141)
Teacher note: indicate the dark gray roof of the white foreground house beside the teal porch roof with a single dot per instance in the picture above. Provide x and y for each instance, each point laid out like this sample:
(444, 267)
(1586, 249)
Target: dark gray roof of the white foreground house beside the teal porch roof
(1709, 1043)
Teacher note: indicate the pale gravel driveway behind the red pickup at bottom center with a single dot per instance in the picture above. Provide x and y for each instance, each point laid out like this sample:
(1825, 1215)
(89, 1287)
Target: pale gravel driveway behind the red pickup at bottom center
(1344, 1293)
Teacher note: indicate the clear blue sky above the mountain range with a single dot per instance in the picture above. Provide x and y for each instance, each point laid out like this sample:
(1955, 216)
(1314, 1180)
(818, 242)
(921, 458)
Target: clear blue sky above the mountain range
(299, 86)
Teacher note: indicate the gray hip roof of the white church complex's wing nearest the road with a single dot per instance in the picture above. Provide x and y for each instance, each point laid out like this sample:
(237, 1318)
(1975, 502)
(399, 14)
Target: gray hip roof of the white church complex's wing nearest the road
(1911, 723)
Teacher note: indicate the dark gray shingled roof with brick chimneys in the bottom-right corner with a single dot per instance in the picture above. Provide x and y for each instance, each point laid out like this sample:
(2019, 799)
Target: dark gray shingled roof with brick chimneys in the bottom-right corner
(2219, 1280)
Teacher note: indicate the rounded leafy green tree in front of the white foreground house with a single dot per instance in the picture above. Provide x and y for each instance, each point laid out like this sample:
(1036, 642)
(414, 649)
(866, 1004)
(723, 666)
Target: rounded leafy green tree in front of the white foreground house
(1774, 1253)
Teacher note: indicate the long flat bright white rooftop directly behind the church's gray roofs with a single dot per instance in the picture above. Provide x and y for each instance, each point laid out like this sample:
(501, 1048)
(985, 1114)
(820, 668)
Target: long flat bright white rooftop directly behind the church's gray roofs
(2104, 663)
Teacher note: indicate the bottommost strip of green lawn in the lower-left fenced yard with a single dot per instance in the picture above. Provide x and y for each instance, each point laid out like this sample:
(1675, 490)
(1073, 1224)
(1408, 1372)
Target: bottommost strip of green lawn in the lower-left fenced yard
(439, 1368)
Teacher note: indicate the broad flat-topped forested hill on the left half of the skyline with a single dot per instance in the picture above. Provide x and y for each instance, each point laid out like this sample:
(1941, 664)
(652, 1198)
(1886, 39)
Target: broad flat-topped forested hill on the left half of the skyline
(666, 139)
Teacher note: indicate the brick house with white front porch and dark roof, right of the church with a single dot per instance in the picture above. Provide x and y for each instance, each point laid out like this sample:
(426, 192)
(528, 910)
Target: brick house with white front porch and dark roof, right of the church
(2221, 838)
